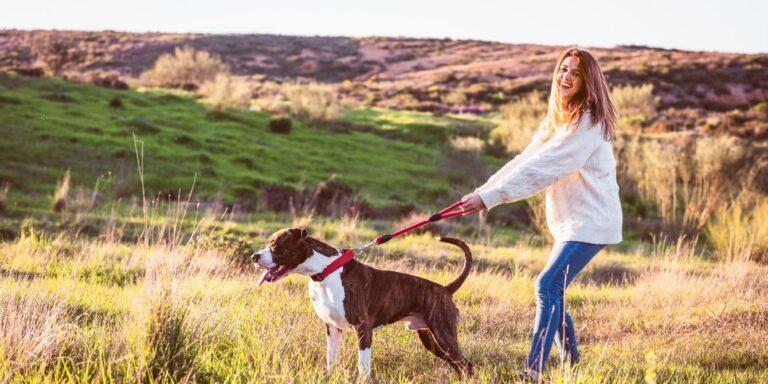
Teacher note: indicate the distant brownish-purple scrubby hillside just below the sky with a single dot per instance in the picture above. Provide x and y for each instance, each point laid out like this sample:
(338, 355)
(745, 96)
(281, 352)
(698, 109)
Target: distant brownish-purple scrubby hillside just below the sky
(710, 91)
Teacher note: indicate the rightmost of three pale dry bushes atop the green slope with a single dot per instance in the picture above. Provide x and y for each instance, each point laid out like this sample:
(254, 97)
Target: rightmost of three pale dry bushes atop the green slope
(316, 102)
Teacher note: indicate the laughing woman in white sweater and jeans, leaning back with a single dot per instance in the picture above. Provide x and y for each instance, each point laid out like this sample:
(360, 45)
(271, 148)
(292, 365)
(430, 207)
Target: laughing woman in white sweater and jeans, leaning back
(571, 157)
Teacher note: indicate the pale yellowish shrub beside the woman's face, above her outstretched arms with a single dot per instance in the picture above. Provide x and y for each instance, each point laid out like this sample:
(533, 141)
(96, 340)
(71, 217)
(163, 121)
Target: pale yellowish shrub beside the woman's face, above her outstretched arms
(520, 119)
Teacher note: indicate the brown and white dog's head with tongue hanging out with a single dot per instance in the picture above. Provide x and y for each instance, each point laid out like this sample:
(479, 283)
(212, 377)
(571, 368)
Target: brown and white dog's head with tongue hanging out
(291, 250)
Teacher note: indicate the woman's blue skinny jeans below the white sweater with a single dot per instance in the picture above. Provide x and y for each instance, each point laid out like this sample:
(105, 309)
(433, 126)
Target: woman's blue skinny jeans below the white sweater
(553, 322)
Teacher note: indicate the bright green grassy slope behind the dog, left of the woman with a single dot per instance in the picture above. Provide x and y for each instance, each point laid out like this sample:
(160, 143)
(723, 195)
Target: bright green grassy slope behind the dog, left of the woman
(49, 126)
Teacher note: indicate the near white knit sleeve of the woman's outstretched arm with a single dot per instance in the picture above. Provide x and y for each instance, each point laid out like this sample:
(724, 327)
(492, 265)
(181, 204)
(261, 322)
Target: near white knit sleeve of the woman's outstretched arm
(562, 155)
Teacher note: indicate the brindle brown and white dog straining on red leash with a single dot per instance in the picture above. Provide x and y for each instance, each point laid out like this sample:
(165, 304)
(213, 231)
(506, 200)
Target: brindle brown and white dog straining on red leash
(361, 299)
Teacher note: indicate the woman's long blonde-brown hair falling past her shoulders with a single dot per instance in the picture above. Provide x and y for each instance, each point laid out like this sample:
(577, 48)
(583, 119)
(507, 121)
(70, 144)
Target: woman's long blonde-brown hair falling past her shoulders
(594, 96)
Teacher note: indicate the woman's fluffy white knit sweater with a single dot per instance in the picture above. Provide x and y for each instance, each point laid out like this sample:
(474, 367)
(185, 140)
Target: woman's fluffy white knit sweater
(577, 168)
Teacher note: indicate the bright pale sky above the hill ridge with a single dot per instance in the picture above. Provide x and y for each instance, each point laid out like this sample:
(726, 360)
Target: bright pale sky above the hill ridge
(711, 25)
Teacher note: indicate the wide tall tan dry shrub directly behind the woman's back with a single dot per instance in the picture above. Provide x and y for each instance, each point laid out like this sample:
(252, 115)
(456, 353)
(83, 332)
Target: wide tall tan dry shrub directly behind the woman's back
(686, 181)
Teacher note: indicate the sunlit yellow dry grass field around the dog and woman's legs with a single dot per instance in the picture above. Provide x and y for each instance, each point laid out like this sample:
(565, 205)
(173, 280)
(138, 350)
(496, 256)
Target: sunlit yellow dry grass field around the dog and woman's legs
(165, 310)
